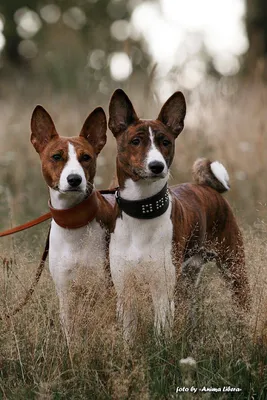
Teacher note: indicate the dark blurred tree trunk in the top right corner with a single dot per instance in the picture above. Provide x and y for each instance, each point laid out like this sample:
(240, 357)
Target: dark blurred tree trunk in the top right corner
(256, 22)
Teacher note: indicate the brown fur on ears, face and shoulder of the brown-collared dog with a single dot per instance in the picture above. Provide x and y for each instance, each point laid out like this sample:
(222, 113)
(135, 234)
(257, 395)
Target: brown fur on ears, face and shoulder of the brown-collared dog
(91, 140)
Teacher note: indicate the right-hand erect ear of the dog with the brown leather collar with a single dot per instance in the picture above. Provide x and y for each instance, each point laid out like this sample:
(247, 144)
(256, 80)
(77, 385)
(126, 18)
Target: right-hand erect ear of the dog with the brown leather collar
(95, 129)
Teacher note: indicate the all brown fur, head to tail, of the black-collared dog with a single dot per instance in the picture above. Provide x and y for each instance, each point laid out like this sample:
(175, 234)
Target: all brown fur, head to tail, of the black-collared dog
(203, 221)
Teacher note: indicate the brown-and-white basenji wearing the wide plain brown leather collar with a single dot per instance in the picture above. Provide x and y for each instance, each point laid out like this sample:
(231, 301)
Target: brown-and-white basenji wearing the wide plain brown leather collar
(81, 216)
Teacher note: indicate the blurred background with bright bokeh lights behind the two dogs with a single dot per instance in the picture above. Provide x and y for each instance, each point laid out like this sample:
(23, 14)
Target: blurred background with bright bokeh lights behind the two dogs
(70, 56)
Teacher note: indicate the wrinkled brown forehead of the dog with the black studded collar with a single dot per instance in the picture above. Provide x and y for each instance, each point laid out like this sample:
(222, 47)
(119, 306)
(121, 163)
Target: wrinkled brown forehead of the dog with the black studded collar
(149, 128)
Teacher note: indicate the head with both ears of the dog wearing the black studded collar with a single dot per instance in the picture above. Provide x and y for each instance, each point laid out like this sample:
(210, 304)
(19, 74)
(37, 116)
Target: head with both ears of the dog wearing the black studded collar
(145, 147)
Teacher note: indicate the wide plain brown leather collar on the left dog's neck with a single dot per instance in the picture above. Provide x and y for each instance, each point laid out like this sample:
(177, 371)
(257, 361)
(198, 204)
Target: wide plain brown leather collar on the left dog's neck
(77, 216)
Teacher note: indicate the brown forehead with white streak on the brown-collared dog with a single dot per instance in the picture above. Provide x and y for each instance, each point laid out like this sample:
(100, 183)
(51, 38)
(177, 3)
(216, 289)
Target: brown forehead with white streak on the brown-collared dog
(66, 145)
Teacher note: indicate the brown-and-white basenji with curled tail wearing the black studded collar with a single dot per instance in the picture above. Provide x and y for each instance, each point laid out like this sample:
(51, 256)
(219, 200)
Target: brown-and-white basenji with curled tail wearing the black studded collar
(163, 235)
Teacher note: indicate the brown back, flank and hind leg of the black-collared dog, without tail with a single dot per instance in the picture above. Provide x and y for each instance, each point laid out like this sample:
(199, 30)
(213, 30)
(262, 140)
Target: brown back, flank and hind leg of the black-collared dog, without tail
(203, 219)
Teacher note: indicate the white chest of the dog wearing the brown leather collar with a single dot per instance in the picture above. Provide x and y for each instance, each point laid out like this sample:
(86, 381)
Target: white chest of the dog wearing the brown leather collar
(73, 249)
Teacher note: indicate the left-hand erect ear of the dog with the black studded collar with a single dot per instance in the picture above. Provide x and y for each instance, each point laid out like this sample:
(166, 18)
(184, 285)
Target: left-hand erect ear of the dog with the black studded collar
(121, 112)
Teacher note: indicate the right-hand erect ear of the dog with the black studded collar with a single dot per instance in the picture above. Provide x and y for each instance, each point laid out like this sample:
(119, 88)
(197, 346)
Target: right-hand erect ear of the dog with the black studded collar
(173, 113)
